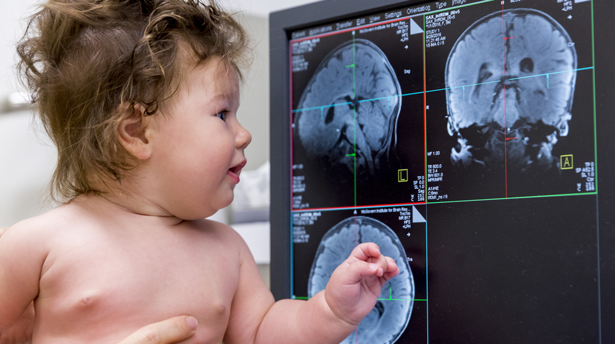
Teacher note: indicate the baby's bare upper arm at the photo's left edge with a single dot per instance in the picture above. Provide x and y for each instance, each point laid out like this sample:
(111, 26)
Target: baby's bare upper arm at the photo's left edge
(22, 254)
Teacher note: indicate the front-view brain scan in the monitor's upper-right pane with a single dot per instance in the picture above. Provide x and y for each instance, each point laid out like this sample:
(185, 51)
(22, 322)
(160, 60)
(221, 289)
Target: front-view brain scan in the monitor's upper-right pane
(490, 91)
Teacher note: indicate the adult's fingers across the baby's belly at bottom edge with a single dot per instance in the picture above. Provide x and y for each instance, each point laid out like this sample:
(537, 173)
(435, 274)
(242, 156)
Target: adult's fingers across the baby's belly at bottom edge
(164, 332)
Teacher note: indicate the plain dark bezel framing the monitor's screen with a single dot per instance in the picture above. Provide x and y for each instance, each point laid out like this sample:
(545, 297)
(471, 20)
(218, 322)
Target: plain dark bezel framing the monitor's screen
(283, 23)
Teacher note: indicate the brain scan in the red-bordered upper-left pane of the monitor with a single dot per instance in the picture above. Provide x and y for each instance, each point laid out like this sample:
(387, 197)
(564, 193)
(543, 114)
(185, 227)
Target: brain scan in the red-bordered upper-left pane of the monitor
(351, 104)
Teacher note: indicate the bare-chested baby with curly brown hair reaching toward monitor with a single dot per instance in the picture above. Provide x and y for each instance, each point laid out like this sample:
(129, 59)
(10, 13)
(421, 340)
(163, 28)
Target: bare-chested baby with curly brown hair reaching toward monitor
(140, 98)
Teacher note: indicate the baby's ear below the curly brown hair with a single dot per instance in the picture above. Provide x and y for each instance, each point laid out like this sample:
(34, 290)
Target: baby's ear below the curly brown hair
(132, 131)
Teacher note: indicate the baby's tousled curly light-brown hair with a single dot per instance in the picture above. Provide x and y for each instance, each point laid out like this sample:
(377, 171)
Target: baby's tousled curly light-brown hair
(86, 60)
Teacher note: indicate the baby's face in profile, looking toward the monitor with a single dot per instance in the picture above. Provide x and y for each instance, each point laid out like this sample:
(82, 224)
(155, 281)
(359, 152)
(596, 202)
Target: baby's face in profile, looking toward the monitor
(200, 144)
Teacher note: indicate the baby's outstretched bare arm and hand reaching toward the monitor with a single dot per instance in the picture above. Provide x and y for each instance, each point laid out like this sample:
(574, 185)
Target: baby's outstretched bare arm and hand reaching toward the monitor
(328, 317)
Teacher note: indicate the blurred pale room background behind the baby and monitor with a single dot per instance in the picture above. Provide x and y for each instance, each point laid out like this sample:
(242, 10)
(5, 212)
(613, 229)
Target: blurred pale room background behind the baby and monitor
(27, 158)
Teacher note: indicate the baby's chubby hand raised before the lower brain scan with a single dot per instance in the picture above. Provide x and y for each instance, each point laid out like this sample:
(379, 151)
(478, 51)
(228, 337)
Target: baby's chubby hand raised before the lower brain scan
(355, 285)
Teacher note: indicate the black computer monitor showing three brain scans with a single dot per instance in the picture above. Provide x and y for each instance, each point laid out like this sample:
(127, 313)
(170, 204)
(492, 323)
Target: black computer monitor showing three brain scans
(472, 141)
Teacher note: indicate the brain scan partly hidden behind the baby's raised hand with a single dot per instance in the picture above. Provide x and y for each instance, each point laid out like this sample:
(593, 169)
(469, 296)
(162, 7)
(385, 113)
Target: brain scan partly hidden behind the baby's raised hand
(389, 318)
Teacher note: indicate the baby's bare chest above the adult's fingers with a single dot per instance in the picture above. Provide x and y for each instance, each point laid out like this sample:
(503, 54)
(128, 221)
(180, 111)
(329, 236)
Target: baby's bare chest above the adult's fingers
(120, 283)
